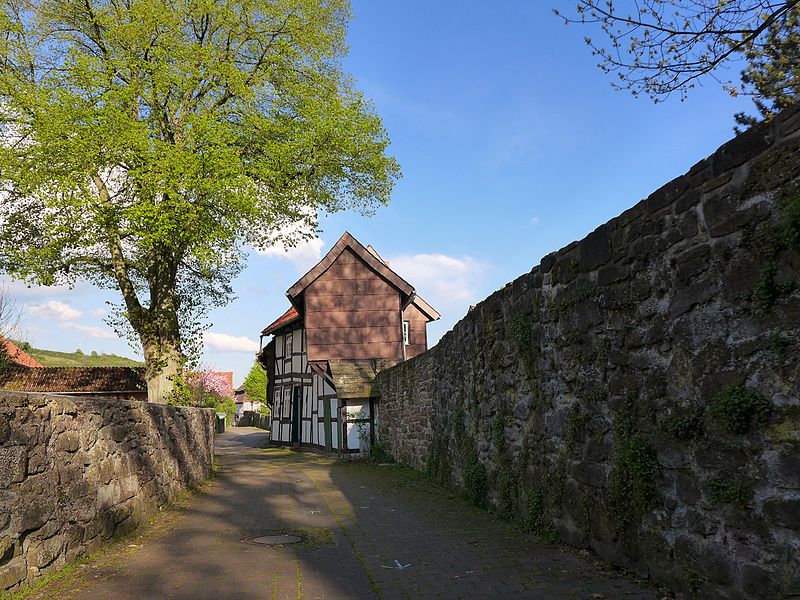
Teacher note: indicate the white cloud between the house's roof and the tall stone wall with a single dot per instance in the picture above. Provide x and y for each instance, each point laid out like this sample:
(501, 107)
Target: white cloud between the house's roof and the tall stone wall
(442, 280)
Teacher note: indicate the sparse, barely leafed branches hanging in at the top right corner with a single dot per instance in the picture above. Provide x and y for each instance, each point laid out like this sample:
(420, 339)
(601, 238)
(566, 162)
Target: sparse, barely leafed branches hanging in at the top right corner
(661, 47)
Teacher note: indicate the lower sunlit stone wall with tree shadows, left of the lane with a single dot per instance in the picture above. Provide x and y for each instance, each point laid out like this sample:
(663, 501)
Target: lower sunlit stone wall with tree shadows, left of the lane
(76, 472)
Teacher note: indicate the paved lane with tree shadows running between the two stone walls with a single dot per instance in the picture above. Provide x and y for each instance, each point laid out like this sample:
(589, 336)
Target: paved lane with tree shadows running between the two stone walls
(360, 522)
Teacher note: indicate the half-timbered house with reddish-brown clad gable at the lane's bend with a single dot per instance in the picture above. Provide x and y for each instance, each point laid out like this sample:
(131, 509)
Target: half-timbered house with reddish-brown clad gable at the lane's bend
(350, 317)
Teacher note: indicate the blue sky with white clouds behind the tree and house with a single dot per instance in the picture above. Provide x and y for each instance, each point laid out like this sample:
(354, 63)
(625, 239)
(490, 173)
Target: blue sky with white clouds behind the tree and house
(512, 145)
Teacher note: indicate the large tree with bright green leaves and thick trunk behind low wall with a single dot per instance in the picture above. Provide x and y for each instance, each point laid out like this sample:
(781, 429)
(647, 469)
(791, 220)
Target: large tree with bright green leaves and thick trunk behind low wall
(146, 143)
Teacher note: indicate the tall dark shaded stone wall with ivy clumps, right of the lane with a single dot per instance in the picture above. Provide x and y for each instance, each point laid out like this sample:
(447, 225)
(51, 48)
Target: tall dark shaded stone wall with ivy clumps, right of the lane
(637, 393)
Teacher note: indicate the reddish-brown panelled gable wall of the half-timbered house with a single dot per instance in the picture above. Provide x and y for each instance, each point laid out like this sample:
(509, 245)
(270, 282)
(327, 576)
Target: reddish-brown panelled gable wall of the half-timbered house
(352, 313)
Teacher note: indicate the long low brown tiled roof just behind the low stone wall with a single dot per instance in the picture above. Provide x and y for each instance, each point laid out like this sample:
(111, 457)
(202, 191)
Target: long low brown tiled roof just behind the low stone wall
(73, 379)
